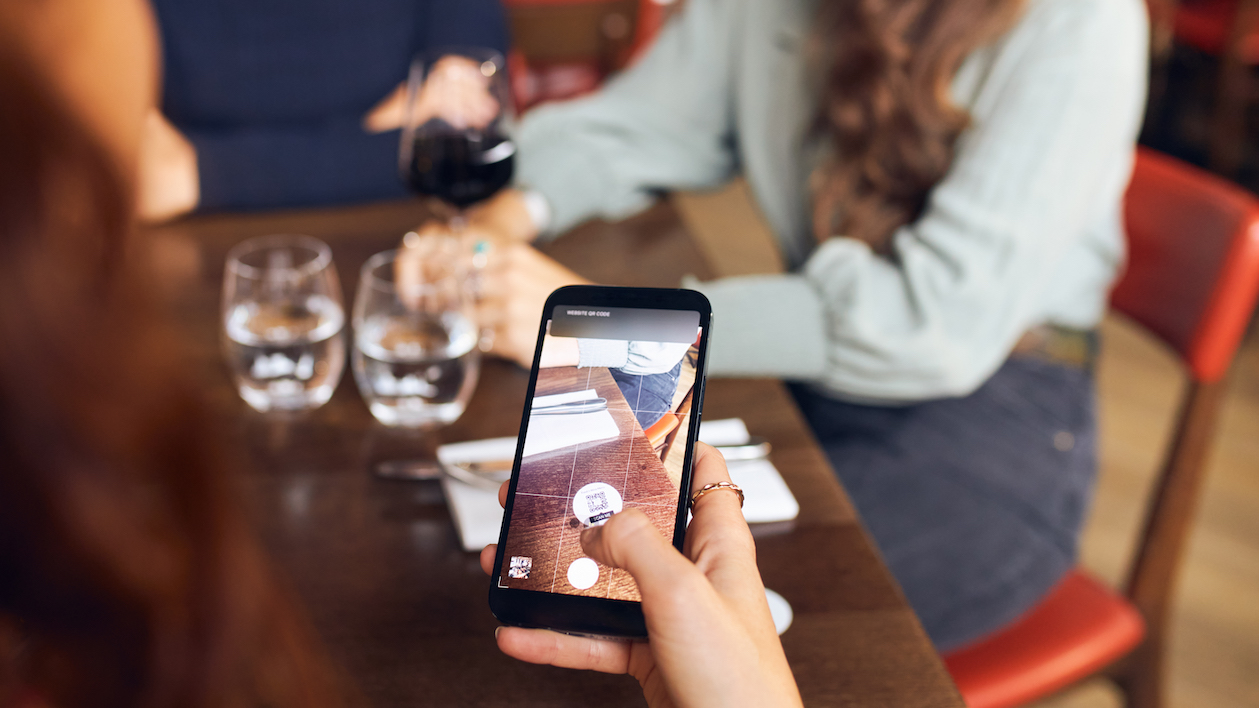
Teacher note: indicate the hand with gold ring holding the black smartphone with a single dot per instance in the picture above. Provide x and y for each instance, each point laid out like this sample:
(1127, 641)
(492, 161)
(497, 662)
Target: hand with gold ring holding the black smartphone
(712, 641)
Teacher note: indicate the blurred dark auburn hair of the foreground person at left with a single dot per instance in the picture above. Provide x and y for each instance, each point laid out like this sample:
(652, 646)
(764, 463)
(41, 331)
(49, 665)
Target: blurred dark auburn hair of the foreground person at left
(128, 573)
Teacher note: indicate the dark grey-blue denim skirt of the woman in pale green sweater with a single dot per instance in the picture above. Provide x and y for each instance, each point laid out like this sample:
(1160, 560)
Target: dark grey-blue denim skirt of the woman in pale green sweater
(976, 503)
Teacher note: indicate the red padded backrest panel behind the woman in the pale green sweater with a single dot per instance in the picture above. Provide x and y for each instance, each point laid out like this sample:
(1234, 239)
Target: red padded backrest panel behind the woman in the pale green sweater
(1193, 273)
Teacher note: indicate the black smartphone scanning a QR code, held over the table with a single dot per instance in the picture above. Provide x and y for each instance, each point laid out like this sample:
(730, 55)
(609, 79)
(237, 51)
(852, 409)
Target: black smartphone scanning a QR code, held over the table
(610, 424)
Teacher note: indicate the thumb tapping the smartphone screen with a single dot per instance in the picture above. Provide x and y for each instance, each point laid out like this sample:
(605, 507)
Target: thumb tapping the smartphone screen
(630, 541)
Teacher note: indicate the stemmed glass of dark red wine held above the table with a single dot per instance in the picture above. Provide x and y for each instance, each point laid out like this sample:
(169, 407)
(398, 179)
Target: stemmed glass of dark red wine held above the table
(455, 137)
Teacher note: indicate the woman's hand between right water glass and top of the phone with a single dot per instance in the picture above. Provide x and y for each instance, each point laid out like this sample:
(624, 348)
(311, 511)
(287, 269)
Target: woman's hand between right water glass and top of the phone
(516, 284)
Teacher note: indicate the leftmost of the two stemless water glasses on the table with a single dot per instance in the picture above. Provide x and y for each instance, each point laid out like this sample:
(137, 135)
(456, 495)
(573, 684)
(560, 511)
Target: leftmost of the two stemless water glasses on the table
(283, 322)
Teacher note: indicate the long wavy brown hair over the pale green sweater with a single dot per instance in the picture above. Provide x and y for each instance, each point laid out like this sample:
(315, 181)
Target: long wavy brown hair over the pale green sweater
(886, 69)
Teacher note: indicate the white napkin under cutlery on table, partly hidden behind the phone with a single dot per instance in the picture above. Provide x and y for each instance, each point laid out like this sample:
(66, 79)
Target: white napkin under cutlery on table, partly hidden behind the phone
(479, 518)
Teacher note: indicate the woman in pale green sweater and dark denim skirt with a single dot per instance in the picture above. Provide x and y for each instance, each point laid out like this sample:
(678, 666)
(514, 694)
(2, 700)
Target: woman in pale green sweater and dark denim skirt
(945, 183)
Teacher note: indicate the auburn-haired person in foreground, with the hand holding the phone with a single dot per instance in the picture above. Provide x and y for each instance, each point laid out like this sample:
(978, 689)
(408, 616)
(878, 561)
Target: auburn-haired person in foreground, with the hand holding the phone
(129, 573)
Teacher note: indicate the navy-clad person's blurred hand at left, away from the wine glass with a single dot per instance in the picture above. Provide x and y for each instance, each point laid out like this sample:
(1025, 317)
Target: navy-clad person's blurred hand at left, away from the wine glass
(169, 183)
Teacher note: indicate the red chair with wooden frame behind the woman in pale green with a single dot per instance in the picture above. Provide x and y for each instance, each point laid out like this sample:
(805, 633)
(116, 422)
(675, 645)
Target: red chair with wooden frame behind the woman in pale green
(1192, 280)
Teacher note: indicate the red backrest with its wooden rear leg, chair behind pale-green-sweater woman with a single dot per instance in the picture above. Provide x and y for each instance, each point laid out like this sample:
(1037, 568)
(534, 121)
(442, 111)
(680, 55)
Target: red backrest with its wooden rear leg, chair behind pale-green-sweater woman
(1193, 278)
